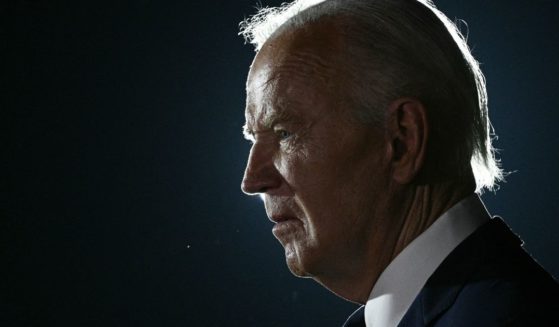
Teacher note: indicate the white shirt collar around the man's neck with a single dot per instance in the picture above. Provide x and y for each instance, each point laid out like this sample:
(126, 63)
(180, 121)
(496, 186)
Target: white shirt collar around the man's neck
(402, 280)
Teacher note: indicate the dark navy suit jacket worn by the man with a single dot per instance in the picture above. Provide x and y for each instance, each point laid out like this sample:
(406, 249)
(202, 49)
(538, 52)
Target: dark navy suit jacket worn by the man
(487, 280)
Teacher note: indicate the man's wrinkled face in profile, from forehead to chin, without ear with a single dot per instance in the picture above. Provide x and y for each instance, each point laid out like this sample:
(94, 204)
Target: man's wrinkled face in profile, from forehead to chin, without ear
(322, 176)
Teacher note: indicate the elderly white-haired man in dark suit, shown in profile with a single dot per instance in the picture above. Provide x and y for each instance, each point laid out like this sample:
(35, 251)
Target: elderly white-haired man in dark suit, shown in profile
(371, 138)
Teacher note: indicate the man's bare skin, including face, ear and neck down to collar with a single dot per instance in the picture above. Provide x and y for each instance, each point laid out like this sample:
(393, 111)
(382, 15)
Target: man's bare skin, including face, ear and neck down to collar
(347, 189)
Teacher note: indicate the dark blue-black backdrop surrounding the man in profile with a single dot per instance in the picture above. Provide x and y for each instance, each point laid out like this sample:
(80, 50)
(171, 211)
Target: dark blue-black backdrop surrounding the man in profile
(123, 159)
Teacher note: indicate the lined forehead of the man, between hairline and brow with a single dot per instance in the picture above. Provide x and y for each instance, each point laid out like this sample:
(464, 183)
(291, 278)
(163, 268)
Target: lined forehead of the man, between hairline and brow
(293, 70)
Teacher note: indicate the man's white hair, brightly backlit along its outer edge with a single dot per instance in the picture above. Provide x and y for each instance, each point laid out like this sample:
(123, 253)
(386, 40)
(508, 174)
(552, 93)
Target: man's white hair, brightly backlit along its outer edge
(446, 74)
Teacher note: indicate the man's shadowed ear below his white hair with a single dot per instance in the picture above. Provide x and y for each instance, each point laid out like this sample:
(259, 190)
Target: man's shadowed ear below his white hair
(407, 134)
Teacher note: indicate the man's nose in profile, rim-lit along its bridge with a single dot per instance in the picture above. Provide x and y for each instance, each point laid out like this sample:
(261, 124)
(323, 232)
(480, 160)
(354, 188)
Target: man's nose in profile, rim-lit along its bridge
(261, 175)
